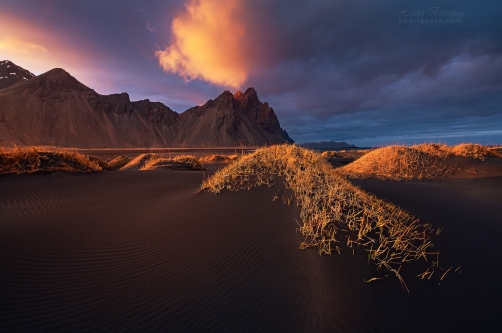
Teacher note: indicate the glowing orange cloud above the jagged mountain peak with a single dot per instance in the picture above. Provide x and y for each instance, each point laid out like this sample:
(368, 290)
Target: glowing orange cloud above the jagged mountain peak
(208, 43)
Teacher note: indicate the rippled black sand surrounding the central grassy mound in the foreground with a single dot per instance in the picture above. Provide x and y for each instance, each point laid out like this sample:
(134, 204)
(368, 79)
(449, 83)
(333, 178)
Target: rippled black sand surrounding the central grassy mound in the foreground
(142, 251)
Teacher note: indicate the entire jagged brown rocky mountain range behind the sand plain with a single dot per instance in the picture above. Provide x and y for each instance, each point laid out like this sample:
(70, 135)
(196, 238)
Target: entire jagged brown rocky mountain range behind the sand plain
(56, 109)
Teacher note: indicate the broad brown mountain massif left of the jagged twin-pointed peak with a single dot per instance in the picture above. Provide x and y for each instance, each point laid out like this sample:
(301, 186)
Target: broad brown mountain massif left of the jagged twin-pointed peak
(55, 109)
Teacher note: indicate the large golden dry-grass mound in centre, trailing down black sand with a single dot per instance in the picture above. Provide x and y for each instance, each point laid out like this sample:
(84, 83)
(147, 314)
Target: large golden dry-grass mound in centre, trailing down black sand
(331, 207)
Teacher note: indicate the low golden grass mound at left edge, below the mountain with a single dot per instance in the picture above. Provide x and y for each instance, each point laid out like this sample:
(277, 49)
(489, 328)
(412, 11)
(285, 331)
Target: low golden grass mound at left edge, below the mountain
(35, 159)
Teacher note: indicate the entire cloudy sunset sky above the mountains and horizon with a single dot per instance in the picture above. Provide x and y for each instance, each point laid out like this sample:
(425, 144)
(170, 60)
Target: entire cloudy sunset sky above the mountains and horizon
(361, 71)
